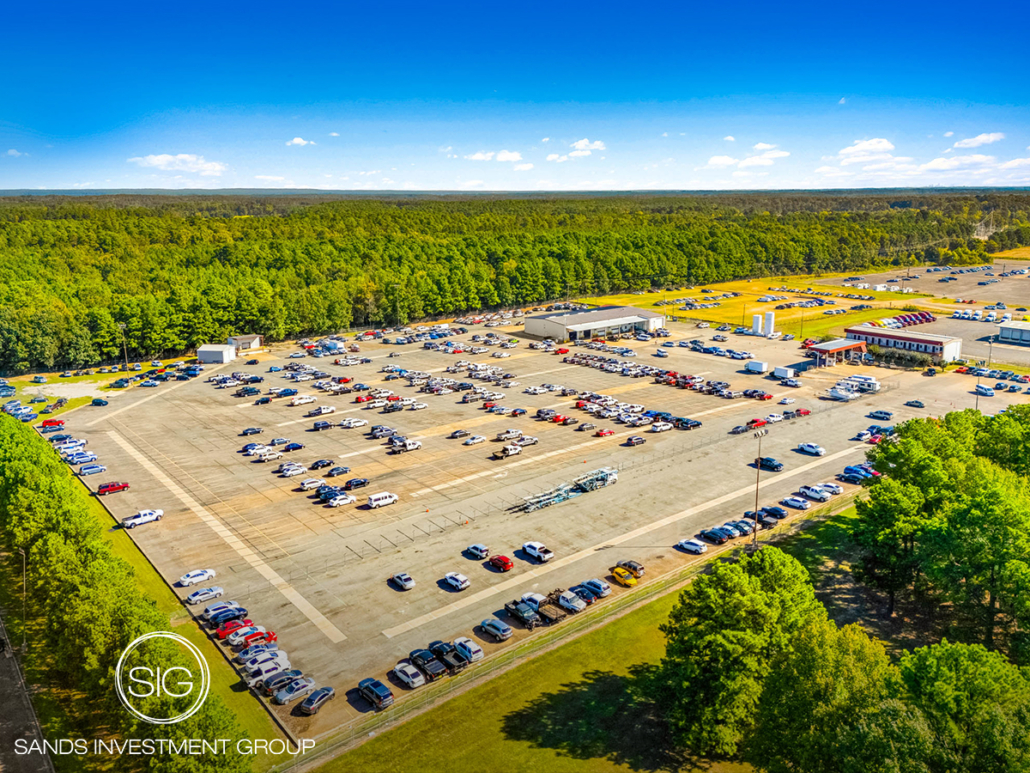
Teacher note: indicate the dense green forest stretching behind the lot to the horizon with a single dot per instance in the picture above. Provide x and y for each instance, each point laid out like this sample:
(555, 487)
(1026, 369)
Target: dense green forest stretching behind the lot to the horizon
(180, 272)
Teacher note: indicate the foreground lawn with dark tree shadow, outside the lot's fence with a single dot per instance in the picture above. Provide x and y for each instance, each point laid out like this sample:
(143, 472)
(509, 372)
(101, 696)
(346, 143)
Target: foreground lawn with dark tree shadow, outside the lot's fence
(575, 710)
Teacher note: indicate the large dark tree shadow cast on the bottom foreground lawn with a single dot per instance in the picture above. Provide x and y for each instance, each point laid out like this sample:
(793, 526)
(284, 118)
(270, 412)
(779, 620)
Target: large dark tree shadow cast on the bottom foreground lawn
(604, 716)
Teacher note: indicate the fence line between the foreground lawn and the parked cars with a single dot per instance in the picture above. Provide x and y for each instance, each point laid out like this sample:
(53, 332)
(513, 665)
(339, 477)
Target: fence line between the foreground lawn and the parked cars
(368, 727)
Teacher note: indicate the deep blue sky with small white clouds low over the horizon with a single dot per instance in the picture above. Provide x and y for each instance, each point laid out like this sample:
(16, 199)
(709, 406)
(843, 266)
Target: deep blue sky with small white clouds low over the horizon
(517, 97)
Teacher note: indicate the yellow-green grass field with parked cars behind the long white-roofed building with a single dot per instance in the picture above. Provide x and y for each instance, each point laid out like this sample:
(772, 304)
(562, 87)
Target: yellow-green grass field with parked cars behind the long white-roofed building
(811, 322)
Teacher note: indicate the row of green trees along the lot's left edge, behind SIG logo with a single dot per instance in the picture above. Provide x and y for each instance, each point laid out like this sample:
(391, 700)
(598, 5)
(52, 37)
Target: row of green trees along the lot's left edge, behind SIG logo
(92, 603)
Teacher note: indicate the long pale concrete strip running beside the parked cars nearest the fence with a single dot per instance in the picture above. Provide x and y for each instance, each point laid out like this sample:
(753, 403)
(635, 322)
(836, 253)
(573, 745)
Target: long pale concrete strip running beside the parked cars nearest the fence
(522, 580)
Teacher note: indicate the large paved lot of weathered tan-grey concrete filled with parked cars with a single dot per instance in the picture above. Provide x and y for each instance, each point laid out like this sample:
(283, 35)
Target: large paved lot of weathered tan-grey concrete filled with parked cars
(318, 576)
